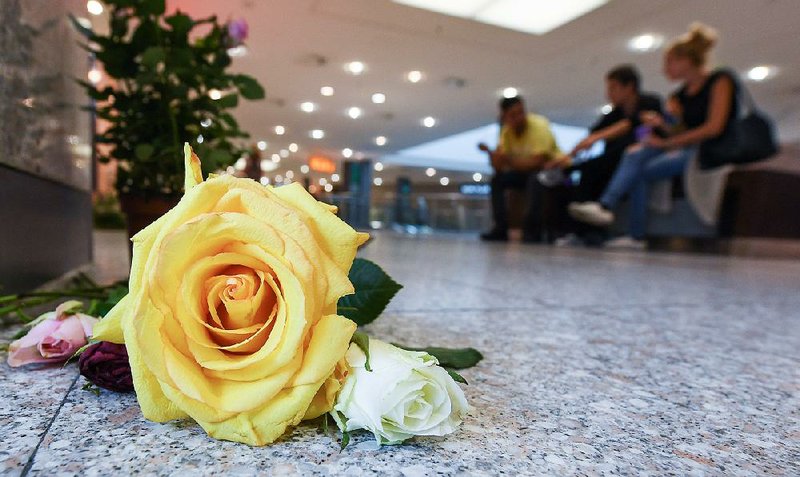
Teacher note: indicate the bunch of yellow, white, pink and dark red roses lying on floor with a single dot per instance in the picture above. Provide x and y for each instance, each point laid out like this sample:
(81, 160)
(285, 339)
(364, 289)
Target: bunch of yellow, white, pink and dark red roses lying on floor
(242, 313)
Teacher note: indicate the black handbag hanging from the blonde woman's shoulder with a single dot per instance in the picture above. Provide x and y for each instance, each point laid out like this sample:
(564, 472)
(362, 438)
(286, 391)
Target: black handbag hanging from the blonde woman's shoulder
(749, 138)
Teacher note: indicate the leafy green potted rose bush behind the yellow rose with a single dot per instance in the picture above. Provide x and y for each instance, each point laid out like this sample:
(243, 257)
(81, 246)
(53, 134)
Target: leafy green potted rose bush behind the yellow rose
(167, 84)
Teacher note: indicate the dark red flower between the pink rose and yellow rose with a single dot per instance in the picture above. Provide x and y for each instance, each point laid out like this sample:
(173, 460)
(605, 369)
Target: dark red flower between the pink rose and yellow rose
(106, 365)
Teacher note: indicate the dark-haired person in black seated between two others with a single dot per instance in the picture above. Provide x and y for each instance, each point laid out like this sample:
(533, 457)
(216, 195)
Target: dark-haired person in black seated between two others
(617, 129)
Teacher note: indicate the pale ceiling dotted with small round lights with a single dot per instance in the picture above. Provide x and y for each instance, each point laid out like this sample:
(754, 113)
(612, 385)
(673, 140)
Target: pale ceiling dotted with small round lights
(560, 73)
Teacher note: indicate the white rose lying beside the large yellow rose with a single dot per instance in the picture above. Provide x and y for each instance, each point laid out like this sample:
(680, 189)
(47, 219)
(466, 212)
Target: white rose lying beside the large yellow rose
(406, 394)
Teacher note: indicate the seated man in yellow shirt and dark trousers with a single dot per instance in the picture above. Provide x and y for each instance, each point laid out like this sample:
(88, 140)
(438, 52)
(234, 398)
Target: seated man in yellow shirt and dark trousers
(526, 146)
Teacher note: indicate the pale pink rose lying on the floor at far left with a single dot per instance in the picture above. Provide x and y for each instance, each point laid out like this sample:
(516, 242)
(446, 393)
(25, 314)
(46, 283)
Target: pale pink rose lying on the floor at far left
(56, 336)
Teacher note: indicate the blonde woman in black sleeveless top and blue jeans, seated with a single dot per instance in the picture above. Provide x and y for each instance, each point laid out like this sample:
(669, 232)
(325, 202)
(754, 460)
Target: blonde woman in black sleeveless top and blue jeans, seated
(708, 107)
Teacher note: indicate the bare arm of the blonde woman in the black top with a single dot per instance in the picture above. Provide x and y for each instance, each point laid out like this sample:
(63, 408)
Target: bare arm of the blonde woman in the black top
(719, 109)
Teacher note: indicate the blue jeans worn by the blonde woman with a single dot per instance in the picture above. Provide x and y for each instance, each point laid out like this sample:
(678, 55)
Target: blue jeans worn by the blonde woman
(633, 176)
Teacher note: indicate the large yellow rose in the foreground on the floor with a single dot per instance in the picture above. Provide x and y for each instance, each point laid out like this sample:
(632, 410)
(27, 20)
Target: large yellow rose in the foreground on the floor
(231, 314)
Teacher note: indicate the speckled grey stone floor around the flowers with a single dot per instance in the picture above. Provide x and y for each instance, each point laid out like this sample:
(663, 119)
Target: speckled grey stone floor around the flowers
(597, 363)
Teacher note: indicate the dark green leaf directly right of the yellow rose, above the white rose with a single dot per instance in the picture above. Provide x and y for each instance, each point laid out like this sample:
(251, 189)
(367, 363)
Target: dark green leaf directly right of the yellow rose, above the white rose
(374, 290)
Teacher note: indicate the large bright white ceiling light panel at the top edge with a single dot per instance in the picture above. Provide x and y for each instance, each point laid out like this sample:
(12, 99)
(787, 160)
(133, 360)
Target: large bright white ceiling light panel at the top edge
(536, 17)
